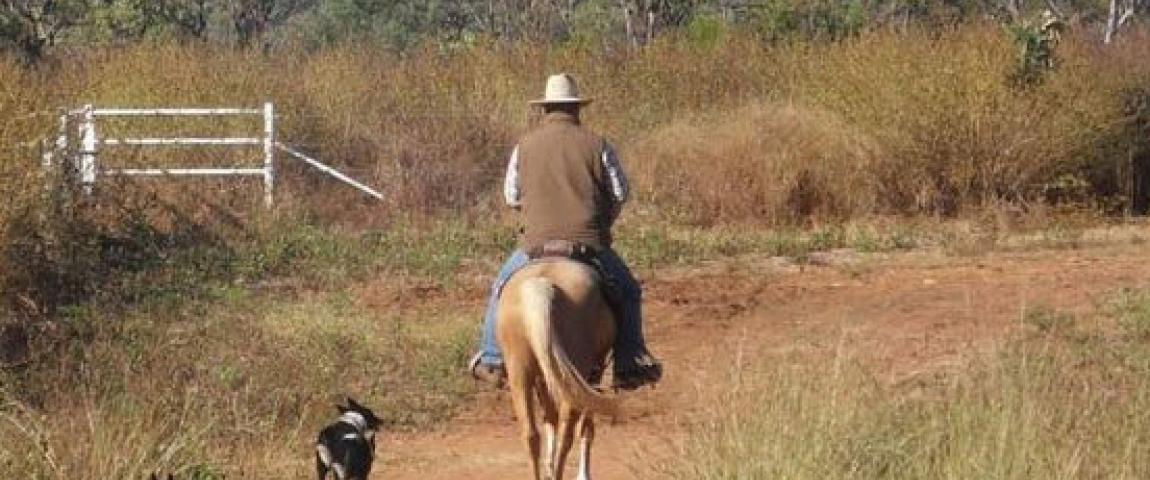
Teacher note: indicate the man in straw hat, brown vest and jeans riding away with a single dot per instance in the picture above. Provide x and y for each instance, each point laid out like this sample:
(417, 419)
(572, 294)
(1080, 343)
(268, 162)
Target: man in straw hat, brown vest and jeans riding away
(570, 188)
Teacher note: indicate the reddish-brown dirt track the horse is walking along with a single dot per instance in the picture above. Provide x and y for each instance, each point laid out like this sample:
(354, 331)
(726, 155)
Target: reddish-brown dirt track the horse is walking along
(906, 314)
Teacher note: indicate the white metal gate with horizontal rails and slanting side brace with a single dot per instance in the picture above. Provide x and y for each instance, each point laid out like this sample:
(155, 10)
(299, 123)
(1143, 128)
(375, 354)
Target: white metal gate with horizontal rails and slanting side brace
(86, 158)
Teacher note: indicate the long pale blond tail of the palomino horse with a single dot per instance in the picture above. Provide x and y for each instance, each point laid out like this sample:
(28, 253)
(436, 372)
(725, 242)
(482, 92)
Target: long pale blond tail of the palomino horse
(559, 375)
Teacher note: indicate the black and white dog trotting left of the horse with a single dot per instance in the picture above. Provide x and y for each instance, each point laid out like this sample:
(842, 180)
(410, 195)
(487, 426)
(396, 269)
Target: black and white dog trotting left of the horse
(348, 446)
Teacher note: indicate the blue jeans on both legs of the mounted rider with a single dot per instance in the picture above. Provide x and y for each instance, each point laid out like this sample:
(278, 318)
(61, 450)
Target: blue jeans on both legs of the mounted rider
(628, 344)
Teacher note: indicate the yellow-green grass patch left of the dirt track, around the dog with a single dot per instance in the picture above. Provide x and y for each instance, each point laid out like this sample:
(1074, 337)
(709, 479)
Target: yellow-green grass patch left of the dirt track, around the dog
(225, 387)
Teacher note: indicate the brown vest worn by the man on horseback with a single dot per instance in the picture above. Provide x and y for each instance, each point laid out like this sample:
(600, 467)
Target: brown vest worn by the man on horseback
(563, 187)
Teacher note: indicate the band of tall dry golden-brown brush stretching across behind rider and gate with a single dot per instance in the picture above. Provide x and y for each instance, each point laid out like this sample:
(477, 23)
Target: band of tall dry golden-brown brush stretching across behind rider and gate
(918, 123)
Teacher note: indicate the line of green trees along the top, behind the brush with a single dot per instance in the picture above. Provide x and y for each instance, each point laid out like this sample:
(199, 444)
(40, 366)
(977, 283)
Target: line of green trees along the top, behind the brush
(32, 28)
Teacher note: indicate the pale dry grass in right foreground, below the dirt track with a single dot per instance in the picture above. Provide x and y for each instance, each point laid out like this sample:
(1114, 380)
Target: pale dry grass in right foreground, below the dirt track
(1064, 405)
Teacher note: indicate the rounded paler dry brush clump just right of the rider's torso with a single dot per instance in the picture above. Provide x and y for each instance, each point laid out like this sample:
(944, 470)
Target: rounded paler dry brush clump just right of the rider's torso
(775, 164)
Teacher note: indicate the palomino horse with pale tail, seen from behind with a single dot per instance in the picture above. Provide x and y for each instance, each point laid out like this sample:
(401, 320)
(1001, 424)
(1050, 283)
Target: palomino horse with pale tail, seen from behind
(556, 331)
